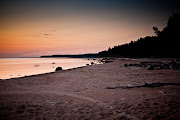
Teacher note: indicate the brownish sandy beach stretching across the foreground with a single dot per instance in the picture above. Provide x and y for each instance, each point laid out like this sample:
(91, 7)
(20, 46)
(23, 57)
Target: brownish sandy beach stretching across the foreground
(81, 94)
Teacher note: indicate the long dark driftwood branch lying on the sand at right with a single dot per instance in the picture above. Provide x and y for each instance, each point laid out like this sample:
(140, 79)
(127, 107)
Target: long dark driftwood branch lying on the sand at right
(152, 85)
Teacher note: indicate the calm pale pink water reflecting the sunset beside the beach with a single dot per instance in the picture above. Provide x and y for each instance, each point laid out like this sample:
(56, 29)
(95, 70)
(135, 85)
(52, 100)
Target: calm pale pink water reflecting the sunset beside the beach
(18, 67)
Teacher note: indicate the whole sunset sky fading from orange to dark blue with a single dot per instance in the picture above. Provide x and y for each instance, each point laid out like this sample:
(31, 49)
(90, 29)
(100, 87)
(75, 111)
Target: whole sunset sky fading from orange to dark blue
(32, 28)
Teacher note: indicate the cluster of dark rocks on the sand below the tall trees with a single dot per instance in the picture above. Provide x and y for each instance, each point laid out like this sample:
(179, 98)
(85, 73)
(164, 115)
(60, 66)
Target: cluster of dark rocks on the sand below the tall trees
(157, 66)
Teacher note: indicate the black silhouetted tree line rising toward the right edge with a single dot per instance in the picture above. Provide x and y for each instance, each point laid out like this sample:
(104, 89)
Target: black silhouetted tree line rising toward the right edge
(165, 43)
